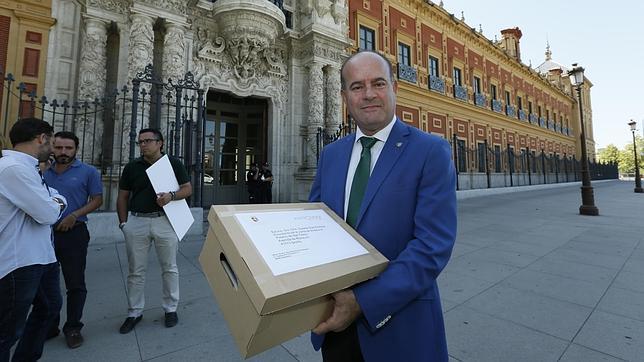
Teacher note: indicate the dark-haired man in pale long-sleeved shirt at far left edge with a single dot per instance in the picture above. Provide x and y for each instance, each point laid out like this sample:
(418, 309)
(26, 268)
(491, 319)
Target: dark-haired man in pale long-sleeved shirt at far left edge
(29, 272)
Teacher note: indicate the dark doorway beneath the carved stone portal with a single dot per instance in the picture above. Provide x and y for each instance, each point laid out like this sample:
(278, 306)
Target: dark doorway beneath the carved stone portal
(235, 137)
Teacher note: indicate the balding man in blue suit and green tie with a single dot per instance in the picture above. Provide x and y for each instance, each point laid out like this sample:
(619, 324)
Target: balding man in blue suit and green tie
(395, 185)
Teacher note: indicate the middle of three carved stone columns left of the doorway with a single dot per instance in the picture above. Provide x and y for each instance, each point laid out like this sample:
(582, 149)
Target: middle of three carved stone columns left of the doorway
(141, 48)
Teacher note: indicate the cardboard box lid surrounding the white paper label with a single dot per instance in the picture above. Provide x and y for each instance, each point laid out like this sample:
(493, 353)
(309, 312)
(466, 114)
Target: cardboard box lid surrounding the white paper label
(270, 293)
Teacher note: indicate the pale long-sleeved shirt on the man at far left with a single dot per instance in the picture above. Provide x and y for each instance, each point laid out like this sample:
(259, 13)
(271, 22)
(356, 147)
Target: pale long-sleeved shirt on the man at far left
(27, 211)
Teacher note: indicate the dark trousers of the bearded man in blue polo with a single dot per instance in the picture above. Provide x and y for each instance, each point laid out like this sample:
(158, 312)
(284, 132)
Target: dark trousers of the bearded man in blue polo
(71, 252)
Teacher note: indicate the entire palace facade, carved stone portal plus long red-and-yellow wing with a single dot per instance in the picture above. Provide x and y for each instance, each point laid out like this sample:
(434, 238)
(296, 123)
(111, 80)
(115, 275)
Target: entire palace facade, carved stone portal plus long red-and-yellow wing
(269, 70)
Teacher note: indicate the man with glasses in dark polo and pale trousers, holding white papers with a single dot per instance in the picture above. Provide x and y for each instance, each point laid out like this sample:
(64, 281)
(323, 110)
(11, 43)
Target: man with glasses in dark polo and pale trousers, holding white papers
(142, 220)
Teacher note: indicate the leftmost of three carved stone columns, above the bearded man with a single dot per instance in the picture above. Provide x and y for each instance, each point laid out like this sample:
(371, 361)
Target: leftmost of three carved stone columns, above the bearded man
(92, 77)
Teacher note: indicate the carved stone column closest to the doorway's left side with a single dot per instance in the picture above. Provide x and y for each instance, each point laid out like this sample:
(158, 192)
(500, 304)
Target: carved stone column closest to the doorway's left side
(174, 65)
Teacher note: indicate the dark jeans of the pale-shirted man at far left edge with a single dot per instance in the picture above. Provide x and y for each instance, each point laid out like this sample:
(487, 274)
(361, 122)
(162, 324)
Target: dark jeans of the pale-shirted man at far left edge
(36, 285)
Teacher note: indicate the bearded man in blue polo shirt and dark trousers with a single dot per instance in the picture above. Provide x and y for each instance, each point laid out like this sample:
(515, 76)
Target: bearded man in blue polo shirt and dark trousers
(81, 186)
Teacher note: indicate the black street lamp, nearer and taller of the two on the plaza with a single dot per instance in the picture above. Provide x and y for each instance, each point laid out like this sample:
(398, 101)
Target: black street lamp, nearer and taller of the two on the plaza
(587, 207)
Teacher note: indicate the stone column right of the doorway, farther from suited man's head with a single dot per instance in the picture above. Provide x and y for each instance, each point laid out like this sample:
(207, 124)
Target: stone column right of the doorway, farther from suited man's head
(316, 114)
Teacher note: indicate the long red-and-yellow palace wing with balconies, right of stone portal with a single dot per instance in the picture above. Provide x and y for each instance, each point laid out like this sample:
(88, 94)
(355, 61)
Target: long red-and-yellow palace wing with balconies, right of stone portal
(455, 82)
